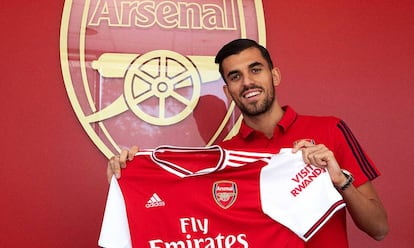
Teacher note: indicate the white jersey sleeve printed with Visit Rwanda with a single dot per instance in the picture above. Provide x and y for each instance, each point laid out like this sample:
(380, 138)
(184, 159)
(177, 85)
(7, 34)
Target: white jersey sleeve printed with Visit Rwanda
(298, 195)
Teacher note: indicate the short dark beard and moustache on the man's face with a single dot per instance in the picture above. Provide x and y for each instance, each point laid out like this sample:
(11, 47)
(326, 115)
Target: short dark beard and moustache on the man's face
(257, 108)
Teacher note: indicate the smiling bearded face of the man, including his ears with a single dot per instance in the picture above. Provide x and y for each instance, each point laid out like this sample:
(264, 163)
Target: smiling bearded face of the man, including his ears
(250, 82)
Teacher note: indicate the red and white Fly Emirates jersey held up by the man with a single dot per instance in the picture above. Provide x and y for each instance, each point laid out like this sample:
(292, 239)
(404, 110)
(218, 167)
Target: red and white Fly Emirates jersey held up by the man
(201, 197)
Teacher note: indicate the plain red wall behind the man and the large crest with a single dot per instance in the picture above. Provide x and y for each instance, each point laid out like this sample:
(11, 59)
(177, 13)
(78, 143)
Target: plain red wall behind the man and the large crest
(344, 58)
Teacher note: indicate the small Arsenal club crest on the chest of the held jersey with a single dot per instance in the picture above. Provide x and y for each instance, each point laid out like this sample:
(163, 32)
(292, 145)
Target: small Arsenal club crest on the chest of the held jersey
(225, 193)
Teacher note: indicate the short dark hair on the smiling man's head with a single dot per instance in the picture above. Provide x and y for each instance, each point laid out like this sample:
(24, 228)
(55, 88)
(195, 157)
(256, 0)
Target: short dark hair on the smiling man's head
(237, 46)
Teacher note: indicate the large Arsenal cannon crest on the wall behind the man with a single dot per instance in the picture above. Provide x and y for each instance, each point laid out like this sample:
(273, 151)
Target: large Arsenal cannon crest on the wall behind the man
(143, 72)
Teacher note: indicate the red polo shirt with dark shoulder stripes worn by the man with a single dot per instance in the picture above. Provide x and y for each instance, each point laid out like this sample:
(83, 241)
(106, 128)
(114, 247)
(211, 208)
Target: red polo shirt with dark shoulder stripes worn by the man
(327, 130)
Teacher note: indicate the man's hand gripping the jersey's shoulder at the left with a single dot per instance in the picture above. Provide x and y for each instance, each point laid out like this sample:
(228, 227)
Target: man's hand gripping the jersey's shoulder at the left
(118, 162)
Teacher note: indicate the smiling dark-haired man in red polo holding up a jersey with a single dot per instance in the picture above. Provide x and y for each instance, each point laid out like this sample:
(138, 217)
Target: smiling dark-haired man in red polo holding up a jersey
(326, 142)
